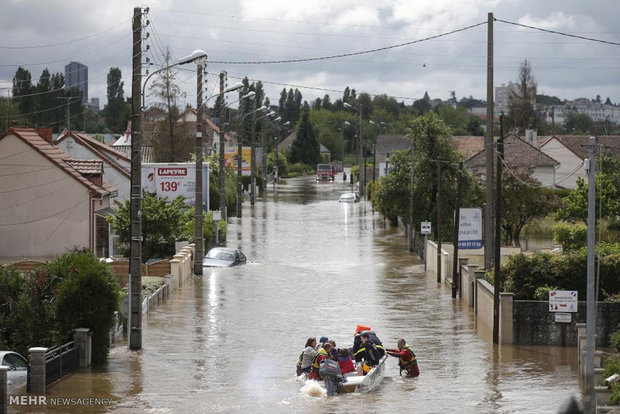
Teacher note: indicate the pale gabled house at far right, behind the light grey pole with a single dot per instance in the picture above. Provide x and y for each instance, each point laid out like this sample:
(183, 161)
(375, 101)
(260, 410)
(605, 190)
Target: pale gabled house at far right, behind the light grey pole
(570, 151)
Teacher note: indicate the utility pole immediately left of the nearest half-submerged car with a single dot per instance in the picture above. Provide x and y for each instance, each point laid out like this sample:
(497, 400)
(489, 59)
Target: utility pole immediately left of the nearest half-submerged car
(198, 235)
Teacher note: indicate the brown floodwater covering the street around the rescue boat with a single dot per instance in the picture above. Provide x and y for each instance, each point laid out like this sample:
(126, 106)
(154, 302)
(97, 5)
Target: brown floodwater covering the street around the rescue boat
(229, 341)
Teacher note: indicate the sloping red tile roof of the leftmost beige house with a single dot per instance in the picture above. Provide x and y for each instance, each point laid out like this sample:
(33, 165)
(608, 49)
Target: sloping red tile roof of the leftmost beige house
(53, 154)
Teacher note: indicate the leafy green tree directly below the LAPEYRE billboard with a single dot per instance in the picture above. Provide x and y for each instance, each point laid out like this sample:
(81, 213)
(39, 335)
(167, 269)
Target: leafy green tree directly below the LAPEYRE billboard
(161, 225)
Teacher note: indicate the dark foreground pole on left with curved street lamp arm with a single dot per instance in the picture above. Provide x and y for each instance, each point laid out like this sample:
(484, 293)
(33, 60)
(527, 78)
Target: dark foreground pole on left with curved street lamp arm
(135, 228)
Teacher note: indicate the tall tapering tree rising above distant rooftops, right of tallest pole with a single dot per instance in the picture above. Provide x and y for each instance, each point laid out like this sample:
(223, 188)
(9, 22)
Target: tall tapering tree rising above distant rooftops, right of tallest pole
(522, 99)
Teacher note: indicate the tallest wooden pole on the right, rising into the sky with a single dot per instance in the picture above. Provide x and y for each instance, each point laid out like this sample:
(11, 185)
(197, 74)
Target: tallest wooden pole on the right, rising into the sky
(488, 146)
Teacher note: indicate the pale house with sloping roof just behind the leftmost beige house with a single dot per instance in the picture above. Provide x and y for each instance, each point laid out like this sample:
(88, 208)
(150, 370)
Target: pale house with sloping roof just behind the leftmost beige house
(116, 165)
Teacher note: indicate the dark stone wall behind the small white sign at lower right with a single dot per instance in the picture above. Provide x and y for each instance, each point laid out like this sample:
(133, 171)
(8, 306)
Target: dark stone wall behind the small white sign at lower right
(533, 324)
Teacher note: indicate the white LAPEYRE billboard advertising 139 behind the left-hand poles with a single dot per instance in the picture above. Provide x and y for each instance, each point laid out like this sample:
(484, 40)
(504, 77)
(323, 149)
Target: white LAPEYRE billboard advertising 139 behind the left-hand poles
(175, 179)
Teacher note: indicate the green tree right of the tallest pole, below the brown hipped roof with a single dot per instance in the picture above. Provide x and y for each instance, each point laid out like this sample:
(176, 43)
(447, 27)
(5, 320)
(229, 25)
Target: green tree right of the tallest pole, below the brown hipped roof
(523, 200)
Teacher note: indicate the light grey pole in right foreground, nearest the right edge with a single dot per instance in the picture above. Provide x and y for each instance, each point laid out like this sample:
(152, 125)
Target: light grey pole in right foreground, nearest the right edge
(590, 316)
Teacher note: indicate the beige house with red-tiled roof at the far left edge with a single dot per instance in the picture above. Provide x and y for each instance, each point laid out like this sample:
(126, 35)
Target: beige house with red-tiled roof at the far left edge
(50, 202)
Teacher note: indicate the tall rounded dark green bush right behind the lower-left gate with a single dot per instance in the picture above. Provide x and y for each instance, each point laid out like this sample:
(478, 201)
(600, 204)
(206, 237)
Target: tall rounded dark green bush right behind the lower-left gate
(87, 297)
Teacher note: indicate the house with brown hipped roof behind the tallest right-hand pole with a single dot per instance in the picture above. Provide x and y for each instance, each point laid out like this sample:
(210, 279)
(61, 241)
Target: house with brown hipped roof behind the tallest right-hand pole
(519, 155)
